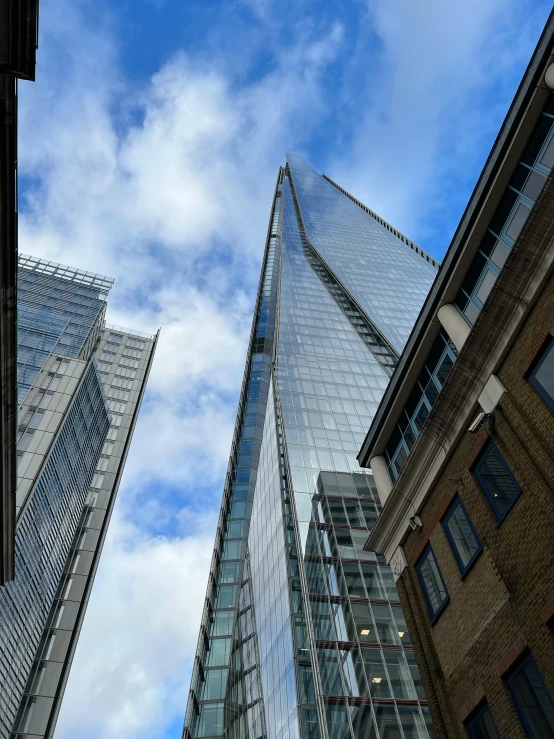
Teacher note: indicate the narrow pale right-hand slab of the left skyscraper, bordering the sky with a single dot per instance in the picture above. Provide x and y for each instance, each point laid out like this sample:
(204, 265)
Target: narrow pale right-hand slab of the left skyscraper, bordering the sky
(44, 689)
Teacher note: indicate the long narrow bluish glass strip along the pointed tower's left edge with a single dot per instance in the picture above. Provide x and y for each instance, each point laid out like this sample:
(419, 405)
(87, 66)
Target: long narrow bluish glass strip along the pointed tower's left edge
(225, 599)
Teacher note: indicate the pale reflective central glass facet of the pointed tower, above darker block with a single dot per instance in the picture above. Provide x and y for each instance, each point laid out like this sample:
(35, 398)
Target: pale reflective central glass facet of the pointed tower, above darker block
(330, 383)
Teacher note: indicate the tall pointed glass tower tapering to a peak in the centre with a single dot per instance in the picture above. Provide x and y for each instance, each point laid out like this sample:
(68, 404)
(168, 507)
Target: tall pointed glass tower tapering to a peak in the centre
(302, 634)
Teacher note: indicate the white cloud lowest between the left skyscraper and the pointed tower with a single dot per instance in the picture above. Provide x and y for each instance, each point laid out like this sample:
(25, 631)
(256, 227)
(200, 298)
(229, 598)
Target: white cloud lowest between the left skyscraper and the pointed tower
(135, 651)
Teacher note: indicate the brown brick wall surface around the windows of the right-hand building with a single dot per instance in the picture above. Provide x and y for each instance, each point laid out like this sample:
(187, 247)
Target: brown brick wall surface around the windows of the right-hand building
(501, 607)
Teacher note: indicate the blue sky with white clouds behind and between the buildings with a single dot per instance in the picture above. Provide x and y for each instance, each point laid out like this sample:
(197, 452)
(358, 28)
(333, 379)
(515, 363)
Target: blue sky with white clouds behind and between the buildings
(148, 151)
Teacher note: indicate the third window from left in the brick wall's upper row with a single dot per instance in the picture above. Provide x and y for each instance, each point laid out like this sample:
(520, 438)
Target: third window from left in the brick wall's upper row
(496, 480)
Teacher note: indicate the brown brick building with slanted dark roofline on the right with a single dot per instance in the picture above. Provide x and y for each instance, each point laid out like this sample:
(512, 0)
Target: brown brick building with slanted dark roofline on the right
(462, 446)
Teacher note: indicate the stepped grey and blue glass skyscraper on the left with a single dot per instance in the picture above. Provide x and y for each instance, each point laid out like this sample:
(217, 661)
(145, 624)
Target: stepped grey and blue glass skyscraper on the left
(80, 385)
